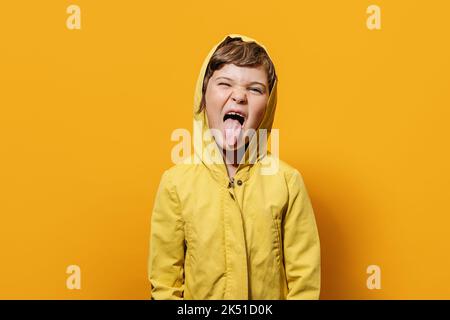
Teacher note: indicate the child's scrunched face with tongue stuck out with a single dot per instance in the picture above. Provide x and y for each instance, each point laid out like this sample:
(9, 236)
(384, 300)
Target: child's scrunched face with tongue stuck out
(242, 90)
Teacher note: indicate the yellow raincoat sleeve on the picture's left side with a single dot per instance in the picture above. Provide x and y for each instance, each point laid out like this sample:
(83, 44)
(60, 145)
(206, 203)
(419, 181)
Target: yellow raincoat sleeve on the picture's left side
(166, 258)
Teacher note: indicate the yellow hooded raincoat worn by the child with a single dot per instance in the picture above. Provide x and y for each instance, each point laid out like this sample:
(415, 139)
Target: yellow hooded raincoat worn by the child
(251, 238)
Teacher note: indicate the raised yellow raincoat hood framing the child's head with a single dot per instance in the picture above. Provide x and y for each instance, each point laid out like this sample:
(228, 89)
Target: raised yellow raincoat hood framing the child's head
(205, 148)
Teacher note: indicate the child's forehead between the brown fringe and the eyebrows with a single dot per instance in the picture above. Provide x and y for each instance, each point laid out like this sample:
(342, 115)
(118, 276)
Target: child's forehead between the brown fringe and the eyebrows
(242, 74)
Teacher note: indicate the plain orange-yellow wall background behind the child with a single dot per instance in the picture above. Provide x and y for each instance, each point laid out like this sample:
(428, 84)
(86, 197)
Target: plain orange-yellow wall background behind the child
(86, 117)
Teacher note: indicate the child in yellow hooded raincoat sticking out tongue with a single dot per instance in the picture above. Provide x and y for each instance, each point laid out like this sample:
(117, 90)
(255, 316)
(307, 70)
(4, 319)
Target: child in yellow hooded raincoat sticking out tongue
(221, 229)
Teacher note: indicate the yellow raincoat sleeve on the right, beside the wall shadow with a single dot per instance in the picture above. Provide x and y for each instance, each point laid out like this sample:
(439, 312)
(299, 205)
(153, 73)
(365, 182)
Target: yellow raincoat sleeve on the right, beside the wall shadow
(301, 243)
